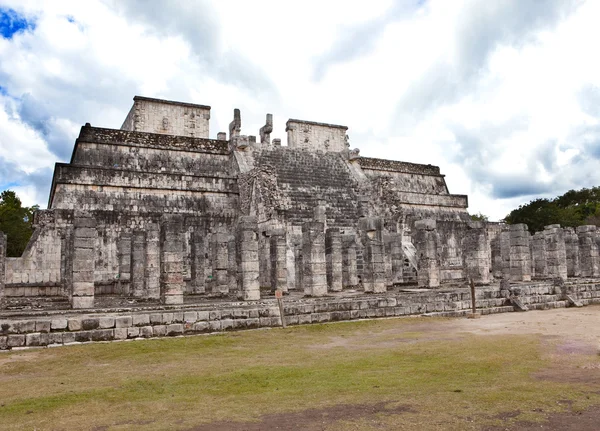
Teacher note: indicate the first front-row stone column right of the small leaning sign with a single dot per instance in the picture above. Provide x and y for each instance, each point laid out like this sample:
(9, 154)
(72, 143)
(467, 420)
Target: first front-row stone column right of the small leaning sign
(313, 257)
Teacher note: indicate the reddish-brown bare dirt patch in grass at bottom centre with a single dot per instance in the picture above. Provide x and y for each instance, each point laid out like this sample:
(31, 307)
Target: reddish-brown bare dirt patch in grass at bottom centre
(307, 420)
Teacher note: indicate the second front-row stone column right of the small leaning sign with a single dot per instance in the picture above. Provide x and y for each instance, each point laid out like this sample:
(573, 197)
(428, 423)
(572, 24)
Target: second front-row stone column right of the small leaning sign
(374, 266)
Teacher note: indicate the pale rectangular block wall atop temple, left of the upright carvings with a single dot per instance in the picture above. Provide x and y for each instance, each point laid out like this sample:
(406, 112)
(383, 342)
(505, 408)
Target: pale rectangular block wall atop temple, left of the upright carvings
(167, 117)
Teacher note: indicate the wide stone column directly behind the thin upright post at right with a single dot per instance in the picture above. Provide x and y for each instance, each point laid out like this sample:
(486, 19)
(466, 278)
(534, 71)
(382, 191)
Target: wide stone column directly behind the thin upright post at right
(476, 258)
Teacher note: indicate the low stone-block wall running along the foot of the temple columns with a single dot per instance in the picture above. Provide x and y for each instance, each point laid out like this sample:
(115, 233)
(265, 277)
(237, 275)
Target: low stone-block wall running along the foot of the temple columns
(71, 327)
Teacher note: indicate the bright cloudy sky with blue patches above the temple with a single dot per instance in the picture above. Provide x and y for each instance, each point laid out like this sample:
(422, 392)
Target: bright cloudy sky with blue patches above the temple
(503, 95)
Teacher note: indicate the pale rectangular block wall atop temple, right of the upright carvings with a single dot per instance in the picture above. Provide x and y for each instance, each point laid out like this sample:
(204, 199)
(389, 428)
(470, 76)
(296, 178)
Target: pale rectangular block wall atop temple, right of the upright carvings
(312, 136)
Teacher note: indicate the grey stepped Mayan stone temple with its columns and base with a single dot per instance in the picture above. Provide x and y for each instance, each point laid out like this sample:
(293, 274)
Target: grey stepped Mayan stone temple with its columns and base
(154, 229)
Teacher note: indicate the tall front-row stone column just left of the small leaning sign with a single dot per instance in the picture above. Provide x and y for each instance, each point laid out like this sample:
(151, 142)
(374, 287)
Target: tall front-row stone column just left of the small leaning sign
(247, 258)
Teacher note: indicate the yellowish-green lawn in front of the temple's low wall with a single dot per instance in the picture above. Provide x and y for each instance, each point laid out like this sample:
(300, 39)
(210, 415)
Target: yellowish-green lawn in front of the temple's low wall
(454, 380)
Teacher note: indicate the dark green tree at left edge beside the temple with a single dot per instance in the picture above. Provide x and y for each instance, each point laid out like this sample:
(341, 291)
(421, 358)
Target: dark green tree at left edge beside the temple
(16, 221)
